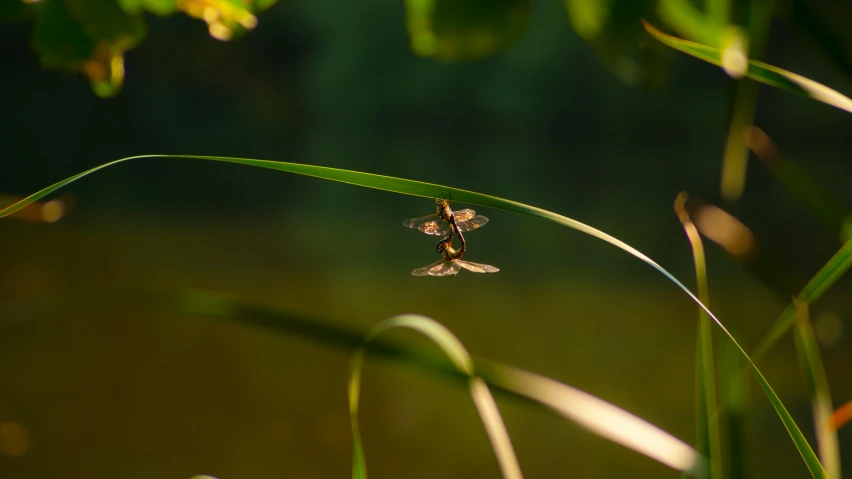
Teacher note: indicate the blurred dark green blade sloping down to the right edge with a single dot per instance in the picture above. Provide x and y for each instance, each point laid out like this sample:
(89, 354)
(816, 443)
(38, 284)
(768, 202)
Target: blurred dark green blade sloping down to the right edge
(803, 186)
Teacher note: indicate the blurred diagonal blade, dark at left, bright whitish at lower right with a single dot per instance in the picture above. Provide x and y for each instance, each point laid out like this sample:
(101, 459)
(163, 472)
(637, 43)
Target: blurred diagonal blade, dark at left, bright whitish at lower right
(597, 415)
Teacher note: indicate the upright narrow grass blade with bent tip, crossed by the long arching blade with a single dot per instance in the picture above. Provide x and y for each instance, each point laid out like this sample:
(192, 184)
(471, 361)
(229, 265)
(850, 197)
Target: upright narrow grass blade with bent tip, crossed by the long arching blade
(705, 380)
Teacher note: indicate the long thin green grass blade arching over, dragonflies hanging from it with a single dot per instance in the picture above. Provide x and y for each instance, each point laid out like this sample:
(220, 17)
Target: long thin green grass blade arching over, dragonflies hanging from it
(430, 190)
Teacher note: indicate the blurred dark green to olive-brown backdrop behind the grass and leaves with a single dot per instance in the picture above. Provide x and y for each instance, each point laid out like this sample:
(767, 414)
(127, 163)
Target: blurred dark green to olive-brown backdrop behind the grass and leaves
(108, 381)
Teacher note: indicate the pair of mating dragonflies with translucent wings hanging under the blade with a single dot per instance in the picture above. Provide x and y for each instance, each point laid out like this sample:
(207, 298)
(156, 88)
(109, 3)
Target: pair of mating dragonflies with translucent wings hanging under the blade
(445, 221)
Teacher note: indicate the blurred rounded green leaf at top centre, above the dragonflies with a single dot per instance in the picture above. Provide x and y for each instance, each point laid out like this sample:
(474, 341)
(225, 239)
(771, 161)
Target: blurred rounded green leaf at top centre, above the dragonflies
(464, 30)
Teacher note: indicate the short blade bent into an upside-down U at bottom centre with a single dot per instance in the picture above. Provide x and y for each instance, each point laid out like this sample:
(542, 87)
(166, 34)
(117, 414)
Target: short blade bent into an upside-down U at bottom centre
(461, 359)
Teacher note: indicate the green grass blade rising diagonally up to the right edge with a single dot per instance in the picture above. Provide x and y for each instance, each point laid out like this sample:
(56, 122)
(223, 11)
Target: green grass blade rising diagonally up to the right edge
(832, 271)
